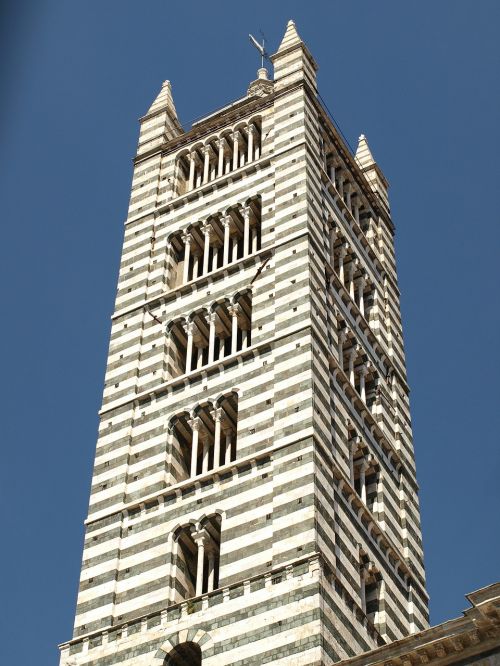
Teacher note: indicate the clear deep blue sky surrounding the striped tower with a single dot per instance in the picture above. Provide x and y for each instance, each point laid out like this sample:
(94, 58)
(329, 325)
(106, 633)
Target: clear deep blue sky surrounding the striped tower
(420, 79)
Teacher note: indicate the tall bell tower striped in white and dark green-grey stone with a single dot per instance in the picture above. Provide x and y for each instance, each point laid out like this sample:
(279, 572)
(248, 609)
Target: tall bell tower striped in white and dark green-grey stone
(254, 496)
